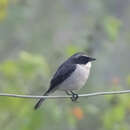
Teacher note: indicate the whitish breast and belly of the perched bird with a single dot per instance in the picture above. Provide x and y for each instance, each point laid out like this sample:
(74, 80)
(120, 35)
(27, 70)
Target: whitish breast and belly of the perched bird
(77, 79)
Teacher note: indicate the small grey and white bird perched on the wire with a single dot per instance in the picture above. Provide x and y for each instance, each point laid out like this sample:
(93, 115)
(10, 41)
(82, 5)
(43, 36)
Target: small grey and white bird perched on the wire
(70, 76)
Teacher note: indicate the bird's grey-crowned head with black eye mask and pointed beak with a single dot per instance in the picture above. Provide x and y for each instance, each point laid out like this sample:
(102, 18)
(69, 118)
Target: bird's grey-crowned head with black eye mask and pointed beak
(81, 58)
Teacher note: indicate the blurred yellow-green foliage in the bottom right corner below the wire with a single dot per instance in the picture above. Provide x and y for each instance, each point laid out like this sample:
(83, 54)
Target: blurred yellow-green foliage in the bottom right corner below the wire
(115, 114)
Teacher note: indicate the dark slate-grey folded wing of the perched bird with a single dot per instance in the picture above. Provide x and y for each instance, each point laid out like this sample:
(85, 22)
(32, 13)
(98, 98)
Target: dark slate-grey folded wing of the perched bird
(64, 71)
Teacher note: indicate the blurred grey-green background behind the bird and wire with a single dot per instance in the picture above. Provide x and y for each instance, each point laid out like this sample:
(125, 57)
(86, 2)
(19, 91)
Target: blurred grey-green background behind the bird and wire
(38, 35)
